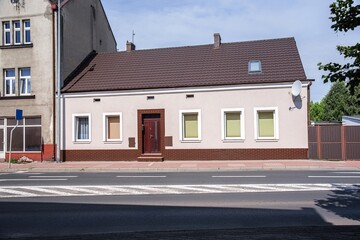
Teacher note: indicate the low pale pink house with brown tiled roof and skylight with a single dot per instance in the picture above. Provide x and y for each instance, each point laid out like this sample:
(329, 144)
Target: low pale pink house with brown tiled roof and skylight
(222, 101)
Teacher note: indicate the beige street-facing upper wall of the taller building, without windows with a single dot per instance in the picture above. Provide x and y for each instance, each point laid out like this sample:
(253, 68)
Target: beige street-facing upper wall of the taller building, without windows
(38, 58)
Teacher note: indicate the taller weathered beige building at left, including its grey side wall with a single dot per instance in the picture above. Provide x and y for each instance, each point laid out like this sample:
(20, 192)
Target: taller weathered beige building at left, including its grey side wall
(28, 65)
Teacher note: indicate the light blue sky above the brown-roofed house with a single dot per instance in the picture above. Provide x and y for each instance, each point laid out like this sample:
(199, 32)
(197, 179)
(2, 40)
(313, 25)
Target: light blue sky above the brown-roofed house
(173, 23)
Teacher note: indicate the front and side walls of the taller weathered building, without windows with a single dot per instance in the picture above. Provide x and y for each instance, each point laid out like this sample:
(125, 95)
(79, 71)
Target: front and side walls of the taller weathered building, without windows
(82, 33)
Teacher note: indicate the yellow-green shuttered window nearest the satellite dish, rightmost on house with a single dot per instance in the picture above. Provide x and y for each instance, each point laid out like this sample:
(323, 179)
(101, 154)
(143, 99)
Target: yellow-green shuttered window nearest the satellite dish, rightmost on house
(266, 124)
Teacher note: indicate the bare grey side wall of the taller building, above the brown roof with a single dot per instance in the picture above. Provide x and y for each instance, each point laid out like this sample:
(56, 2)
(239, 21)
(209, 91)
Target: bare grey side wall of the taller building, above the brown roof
(85, 28)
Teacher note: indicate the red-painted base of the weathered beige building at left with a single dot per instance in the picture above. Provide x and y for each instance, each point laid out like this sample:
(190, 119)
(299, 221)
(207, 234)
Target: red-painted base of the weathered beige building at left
(46, 154)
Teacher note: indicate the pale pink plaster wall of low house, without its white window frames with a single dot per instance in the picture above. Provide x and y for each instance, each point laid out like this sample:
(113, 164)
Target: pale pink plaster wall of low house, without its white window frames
(292, 122)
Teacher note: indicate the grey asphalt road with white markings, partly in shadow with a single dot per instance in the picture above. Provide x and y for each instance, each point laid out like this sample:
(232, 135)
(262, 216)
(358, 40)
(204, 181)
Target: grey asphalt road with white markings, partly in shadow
(62, 204)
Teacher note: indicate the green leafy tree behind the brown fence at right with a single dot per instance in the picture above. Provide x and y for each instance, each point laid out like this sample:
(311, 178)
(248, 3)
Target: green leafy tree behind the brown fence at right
(337, 103)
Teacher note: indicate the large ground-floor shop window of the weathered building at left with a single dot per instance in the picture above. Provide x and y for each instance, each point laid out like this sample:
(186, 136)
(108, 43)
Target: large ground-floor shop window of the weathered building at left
(27, 136)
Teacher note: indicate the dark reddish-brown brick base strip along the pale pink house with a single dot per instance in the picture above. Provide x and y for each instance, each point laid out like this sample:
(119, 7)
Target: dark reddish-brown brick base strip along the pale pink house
(187, 154)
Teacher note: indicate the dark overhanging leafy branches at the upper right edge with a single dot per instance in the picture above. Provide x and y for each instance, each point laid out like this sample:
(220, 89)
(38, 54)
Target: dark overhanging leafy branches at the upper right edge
(346, 16)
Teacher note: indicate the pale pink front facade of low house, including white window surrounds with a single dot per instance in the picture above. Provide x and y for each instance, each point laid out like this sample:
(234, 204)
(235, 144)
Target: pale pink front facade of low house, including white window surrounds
(210, 102)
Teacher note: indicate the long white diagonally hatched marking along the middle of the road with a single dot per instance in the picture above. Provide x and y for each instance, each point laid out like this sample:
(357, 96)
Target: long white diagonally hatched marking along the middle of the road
(127, 190)
